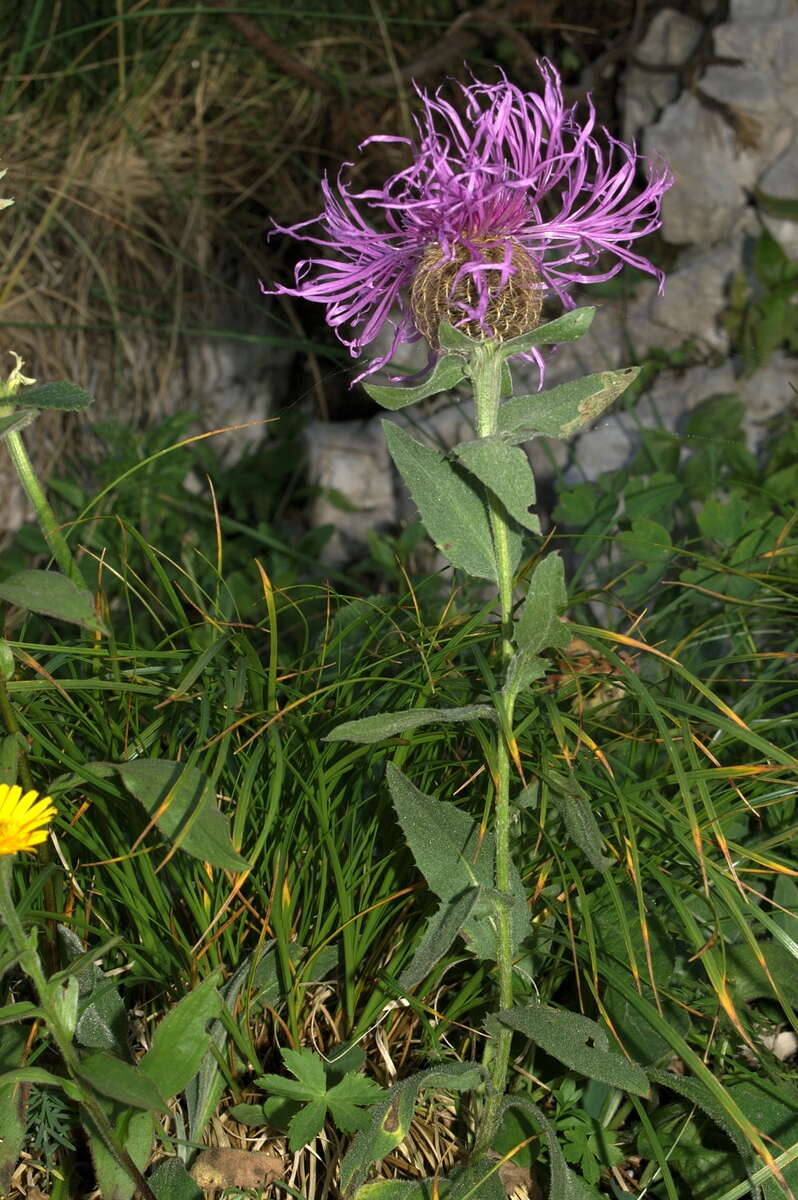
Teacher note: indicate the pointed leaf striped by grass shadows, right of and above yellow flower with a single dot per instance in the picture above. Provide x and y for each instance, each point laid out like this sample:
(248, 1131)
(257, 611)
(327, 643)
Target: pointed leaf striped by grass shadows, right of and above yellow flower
(183, 803)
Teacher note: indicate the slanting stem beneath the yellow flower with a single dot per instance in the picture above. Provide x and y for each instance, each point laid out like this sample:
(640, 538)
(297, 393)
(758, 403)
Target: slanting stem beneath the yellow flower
(32, 965)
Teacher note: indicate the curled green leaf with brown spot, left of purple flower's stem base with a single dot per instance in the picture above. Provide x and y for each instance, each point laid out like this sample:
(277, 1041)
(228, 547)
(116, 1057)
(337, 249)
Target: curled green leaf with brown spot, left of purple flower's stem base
(391, 1121)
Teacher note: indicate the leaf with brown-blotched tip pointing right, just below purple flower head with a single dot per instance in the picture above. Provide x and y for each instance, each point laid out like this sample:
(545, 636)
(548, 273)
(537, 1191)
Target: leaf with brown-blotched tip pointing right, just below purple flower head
(565, 410)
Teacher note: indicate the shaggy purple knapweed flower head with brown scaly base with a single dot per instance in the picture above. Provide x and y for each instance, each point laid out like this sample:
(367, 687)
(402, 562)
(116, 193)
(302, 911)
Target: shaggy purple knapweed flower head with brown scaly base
(513, 201)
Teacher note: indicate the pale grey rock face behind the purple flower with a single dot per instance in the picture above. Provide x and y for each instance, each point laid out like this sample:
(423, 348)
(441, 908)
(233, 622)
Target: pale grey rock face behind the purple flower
(727, 135)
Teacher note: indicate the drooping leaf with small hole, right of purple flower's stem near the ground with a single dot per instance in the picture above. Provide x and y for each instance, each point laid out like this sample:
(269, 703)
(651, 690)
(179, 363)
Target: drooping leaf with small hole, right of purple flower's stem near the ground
(567, 1036)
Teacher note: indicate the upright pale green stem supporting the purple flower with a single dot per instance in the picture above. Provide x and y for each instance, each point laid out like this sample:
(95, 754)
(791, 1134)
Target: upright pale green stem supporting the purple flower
(487, 375)
